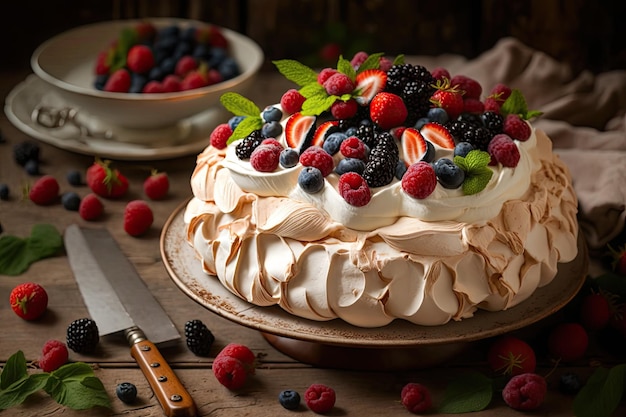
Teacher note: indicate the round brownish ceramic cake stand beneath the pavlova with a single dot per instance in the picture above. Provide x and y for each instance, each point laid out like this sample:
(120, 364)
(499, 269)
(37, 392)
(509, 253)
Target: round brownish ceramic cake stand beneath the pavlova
(337, 344)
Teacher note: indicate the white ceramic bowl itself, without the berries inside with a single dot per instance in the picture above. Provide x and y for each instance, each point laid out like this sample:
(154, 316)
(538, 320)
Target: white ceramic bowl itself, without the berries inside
(67, 63)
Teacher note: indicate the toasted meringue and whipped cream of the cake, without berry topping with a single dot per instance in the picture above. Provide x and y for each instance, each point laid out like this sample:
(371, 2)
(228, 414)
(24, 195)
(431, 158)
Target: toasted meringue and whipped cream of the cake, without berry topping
(426, 261)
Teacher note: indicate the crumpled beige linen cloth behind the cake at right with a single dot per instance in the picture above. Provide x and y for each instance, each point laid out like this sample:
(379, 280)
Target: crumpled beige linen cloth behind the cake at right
(584, 115)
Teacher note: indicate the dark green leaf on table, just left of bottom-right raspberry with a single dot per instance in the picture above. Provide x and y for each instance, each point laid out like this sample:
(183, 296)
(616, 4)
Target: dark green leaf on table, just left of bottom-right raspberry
(469, 393)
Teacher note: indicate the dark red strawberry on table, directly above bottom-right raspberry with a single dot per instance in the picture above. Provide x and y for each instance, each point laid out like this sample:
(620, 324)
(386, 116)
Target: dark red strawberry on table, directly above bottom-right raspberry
(509, 355)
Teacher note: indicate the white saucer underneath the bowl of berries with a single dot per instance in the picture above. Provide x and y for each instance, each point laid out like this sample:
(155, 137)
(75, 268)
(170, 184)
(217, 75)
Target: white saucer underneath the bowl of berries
(187, 137)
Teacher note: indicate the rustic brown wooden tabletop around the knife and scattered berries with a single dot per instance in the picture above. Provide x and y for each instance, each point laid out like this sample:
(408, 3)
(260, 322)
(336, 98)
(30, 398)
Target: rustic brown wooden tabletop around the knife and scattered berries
(359, 393)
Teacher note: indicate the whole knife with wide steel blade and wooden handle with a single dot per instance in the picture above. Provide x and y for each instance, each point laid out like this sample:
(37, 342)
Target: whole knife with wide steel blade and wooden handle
(119, 301)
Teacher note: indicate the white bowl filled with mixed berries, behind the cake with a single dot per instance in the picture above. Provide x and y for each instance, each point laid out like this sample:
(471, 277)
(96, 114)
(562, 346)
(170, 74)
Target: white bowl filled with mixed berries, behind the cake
(146, 74)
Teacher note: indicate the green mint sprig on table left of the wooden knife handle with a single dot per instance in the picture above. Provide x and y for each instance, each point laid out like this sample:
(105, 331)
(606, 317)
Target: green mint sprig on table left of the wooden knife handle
(73, 385)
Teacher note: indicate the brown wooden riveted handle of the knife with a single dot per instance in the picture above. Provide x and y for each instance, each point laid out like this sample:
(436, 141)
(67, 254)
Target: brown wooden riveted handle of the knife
(170, 392)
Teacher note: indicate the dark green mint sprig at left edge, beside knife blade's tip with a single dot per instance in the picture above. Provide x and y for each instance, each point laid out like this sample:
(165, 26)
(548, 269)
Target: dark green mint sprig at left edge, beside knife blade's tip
(17, 254)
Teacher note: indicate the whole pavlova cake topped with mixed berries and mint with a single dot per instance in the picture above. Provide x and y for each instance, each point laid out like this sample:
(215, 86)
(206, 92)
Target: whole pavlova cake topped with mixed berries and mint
(380, 190)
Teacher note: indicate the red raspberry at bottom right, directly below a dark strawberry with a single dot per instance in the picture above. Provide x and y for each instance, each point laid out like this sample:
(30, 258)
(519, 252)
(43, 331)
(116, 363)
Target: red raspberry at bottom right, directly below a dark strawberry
(525, 392)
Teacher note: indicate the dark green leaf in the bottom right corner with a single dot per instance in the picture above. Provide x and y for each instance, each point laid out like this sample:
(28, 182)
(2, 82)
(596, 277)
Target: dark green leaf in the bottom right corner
(602, 393)
